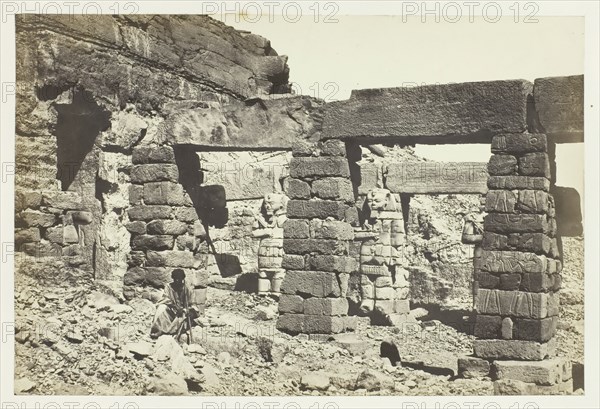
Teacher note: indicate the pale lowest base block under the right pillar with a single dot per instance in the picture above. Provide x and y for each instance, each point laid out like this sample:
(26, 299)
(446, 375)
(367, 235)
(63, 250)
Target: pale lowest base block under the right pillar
(547, 372)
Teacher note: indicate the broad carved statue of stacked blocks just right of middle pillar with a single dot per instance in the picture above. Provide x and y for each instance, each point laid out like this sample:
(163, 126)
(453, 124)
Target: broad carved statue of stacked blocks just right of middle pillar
(384, 283)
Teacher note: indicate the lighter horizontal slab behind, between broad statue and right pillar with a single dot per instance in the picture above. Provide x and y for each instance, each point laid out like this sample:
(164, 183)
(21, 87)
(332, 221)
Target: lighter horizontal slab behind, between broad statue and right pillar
(437, 177)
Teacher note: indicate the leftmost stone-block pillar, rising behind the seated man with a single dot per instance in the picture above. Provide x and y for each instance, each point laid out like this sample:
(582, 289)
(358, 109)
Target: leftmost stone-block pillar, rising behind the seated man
(165, 229)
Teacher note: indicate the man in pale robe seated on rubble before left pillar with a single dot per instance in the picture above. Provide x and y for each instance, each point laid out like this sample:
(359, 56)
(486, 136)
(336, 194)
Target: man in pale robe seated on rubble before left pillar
(173, 309)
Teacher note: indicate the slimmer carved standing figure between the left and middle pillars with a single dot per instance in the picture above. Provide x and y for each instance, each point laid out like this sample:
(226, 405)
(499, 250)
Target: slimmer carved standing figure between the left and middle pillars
(269, 228)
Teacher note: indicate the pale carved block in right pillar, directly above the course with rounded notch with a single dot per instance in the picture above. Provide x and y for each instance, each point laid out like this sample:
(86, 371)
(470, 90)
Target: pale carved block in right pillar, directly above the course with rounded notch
(512, 303)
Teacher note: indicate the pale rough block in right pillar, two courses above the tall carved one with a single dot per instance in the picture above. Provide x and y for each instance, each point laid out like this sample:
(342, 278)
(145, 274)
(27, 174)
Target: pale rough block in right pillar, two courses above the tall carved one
(495, 261)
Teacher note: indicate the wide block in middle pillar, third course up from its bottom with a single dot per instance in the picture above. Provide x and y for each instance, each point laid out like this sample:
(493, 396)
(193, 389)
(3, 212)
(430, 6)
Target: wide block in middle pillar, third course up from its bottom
(311, 283)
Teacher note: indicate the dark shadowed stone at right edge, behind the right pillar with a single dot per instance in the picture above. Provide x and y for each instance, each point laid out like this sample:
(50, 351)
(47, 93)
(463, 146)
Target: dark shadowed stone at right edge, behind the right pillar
(568, 211)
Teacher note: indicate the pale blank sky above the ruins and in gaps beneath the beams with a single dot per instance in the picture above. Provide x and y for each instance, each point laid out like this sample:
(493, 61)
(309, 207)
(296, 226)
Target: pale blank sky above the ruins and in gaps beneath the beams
(329, 60)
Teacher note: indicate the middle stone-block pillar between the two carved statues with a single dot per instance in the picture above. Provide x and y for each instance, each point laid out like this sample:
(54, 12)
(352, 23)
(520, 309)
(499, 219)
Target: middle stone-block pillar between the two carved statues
(316, 242)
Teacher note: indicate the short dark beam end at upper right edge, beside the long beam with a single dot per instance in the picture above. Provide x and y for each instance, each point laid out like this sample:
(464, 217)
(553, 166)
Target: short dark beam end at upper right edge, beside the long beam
(559, 107)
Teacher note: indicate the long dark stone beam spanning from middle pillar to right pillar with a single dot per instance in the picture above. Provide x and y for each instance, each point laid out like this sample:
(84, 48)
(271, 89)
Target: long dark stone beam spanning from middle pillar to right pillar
(470, 109)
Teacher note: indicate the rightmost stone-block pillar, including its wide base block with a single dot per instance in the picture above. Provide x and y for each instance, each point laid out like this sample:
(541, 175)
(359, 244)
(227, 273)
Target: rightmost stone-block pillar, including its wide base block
(517, 303)
